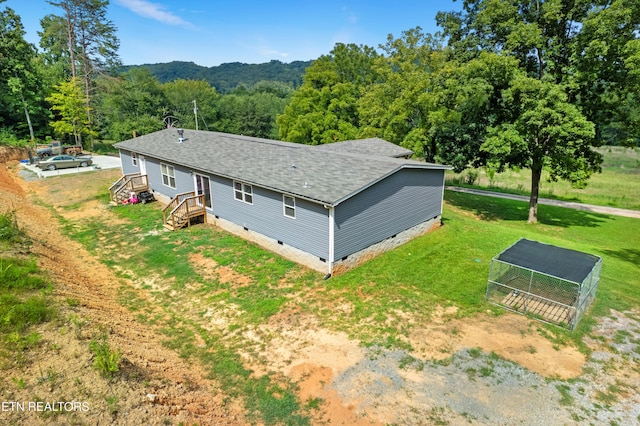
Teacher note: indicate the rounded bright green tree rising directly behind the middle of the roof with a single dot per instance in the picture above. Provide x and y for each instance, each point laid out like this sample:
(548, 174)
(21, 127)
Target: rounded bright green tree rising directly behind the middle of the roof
(324, 108)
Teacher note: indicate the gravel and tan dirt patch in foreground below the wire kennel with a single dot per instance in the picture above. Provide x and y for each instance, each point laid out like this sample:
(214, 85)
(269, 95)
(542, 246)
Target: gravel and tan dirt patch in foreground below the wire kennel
(472, 387)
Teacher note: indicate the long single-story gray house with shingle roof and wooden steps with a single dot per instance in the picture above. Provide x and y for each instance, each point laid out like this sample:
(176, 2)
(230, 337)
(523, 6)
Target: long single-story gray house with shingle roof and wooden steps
(329, 207)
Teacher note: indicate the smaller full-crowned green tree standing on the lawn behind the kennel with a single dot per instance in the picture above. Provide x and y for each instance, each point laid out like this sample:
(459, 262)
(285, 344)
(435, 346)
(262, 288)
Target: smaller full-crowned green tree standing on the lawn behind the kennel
(544, 131)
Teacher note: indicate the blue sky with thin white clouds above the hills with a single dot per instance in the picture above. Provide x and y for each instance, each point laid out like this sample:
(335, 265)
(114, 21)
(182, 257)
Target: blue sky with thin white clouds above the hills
(211, 32)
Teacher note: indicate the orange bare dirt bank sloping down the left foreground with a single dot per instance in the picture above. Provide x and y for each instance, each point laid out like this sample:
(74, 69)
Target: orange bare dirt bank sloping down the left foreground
(155, 386)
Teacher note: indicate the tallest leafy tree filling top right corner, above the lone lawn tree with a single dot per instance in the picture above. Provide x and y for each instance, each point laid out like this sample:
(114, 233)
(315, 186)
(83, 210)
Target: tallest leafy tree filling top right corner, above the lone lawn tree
(582, 45)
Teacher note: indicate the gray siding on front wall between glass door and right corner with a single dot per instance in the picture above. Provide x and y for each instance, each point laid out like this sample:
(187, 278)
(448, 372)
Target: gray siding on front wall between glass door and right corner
(309, 231)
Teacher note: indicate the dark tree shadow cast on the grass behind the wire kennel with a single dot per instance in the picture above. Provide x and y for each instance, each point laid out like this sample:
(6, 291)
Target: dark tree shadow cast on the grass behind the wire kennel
(490, 208)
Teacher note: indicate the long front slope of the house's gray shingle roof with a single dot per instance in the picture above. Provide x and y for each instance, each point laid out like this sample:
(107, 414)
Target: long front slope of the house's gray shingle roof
(302, 170)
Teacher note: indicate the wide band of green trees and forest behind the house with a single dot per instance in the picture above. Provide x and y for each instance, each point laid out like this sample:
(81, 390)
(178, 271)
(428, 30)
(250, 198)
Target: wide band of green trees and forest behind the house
(531, 84)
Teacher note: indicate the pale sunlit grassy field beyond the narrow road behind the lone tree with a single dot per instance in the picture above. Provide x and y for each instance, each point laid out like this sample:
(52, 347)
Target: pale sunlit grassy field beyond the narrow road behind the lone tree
(617, 186)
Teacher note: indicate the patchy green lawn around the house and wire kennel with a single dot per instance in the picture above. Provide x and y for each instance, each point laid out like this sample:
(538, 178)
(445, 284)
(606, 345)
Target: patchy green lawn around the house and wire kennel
(448, 267)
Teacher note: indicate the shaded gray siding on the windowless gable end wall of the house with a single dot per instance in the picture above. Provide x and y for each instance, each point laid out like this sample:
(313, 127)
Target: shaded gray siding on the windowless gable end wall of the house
(397, 203)
